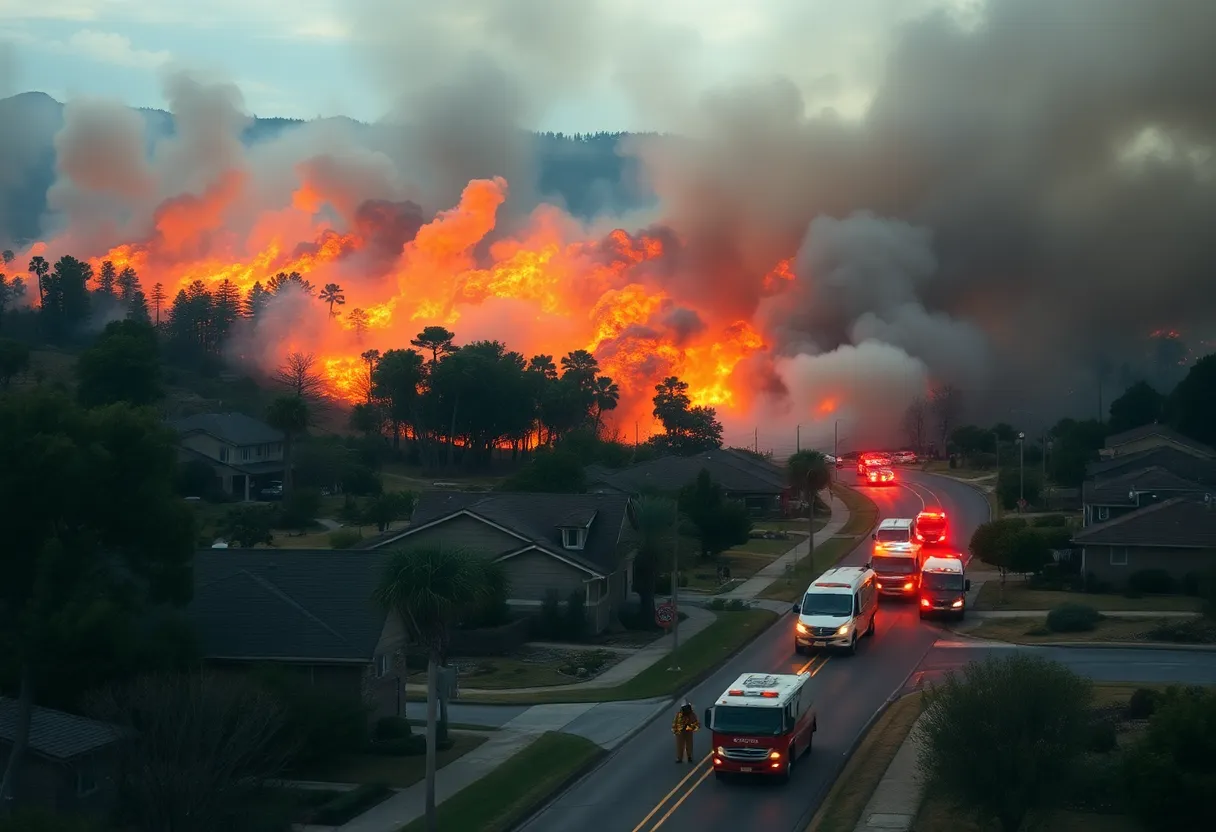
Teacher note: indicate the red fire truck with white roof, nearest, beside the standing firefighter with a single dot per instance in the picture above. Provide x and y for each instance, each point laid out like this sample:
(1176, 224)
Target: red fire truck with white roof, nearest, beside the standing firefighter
(762, 724)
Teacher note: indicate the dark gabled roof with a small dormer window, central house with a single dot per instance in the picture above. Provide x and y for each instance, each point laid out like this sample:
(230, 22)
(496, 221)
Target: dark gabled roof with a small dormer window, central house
(533, 520)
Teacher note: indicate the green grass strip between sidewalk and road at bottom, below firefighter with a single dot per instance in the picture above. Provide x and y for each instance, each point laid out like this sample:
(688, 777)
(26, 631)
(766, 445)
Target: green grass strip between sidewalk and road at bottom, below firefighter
(517, 789)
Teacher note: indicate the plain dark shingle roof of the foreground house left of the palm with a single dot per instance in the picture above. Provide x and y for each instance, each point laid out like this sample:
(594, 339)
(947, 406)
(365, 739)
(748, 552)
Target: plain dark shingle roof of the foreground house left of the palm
(314, 605)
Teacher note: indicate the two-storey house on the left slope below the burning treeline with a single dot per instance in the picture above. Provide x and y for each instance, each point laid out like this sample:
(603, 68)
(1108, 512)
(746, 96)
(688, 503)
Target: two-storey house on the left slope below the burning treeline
(245, 453)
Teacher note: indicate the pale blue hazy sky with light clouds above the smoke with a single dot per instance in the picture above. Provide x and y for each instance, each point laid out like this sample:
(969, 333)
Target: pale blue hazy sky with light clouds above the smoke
(309, 58)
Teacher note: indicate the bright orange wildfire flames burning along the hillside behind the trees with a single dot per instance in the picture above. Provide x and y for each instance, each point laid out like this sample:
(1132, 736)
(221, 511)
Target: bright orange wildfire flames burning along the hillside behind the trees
(601, 295)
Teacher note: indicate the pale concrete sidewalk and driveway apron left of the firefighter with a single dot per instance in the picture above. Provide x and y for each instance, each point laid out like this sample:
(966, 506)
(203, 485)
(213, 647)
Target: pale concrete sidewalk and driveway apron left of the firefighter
(607, 724)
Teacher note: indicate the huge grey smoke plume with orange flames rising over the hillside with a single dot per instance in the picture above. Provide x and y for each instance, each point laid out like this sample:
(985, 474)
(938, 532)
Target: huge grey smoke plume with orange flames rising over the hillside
(1024, 194)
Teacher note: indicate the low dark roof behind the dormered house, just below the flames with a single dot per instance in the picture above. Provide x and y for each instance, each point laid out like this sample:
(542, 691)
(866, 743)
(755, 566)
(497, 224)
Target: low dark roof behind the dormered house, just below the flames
(735, 473)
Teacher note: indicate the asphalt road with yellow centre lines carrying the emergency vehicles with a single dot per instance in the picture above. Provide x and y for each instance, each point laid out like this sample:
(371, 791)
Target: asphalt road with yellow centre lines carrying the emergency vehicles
(640, 789)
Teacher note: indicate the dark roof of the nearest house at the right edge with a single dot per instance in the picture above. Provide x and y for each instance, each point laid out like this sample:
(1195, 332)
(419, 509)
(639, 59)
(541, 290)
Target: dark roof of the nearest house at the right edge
(1184, 522)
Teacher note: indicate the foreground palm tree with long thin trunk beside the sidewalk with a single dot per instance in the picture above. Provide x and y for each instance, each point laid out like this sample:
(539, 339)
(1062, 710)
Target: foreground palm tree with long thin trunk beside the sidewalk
(429, 588)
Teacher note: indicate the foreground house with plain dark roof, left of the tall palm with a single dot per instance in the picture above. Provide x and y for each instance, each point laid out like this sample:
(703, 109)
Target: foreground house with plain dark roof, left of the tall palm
(308, 612)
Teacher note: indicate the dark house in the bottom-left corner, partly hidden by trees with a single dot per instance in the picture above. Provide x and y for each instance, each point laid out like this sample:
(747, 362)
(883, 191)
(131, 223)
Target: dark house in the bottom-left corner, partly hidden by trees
(70, 766)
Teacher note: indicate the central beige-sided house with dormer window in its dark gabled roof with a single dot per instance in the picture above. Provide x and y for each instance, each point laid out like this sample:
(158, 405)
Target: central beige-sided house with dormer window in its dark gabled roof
(568, 543)
